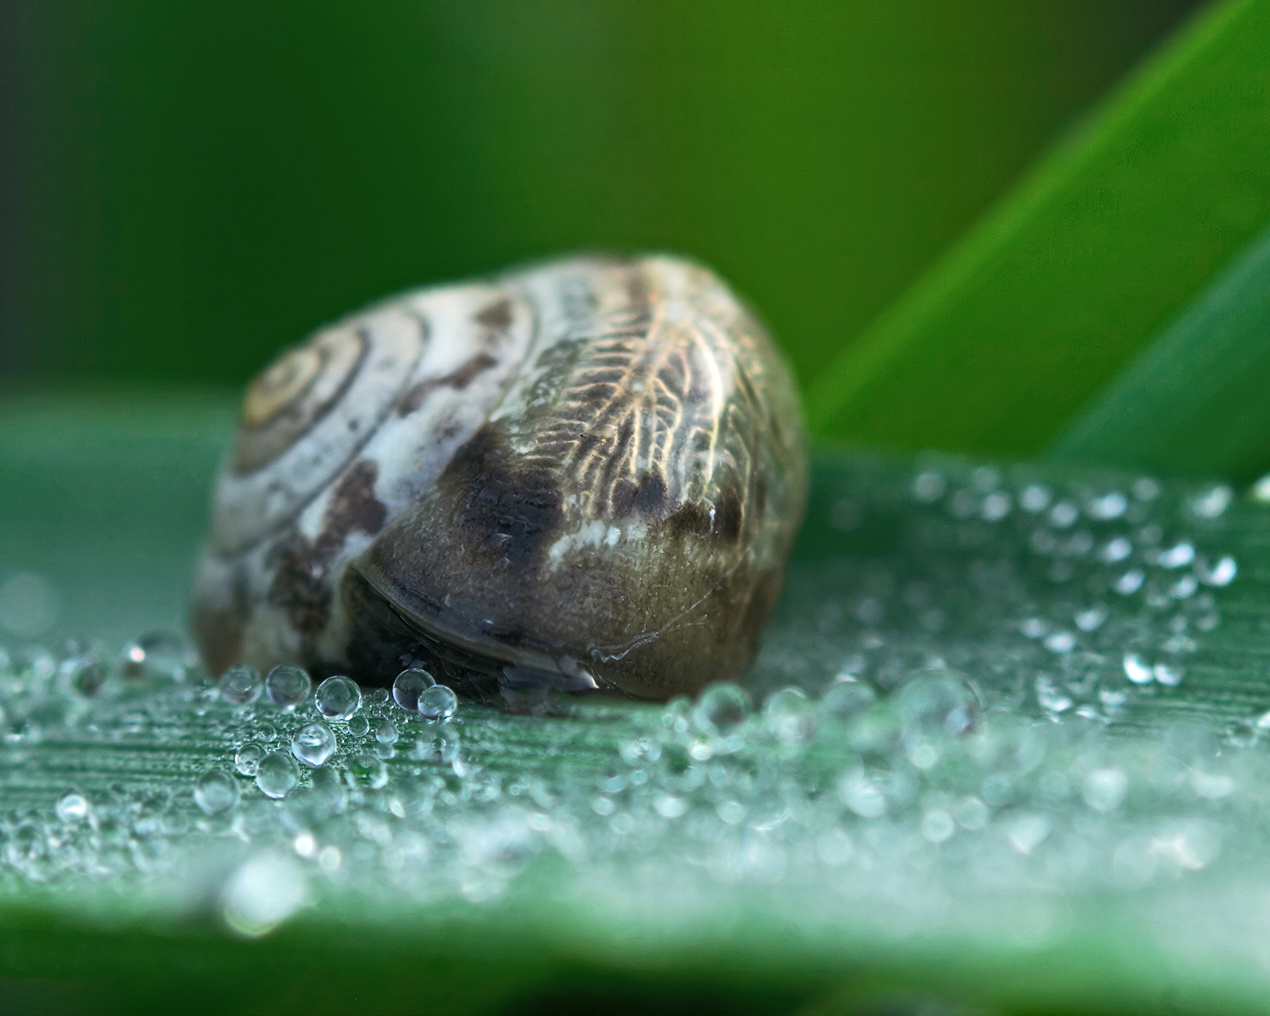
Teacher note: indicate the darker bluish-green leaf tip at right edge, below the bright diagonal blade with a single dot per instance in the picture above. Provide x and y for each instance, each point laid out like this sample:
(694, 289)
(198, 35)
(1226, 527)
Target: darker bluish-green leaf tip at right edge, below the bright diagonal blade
(1194, 401)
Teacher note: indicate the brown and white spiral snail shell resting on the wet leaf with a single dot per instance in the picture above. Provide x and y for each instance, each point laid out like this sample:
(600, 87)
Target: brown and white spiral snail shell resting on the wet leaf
(587, 474)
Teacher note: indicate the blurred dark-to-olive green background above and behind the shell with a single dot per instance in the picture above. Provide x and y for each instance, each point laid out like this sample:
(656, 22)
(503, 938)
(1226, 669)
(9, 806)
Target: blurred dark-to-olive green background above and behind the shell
(189, 187)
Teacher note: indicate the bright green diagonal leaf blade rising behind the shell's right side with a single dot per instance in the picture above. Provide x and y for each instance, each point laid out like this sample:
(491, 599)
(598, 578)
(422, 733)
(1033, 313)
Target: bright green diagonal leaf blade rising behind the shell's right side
(1060, 286)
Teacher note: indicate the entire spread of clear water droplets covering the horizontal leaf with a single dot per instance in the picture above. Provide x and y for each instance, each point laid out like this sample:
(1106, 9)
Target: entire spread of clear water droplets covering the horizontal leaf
(933, 725)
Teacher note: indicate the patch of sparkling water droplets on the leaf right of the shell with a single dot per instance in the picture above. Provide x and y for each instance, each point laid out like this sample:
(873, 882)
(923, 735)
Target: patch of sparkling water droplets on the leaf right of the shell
(1064, 599)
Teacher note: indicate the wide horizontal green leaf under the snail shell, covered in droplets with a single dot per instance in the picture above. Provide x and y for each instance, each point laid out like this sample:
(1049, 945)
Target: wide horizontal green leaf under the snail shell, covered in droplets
(1092, 844)
